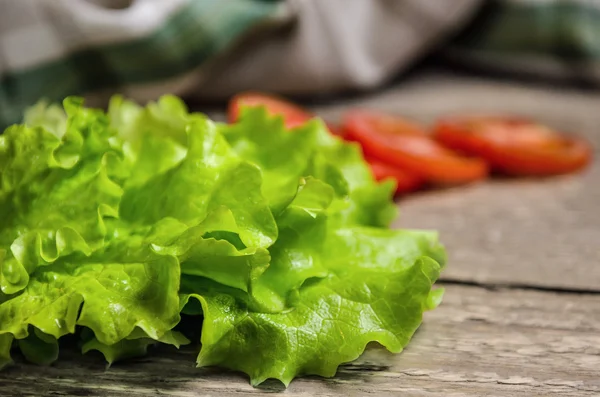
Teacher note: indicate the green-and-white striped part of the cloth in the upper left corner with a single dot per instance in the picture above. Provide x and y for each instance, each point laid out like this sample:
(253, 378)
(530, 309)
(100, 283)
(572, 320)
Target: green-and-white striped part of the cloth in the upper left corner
(54, 48)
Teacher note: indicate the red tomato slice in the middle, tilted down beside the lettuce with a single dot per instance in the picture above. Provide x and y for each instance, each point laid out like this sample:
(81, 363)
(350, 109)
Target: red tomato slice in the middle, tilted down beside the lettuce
(406, 146)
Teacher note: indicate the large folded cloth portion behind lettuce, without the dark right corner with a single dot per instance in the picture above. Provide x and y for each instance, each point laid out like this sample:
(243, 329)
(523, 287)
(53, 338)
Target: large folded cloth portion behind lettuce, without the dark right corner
(208, 48)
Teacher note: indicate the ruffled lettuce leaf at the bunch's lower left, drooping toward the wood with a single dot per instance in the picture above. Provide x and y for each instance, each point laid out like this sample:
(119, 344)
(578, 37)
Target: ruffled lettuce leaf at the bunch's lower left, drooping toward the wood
(111, 293)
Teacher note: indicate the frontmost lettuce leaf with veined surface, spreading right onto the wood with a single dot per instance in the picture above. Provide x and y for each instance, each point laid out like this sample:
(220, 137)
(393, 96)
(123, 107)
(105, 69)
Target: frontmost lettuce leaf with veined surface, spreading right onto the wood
(381, 298)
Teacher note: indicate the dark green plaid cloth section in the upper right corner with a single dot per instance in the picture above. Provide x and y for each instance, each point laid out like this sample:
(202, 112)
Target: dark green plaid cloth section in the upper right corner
(545, 38)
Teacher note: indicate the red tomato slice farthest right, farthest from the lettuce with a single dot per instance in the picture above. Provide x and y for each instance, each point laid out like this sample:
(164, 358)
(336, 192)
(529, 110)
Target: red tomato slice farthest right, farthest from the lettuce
(515, 146)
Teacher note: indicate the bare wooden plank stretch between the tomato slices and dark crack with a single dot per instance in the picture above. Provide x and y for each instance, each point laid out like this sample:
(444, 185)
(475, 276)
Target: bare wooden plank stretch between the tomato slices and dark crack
(543, 233)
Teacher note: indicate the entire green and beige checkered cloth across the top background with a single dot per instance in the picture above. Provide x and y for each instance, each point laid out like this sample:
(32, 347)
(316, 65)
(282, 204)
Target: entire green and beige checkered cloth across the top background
(207, 49)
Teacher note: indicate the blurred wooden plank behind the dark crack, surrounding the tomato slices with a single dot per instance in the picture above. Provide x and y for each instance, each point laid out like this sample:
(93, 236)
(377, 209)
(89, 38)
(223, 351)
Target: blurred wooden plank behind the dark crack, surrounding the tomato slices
(534, 232)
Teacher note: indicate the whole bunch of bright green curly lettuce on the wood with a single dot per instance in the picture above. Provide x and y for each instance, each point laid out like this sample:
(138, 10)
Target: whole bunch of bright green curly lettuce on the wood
(275, 244)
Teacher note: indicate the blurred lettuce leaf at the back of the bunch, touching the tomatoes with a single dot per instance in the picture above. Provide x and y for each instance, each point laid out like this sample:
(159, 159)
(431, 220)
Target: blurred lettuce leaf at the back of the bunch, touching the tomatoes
(286, 156)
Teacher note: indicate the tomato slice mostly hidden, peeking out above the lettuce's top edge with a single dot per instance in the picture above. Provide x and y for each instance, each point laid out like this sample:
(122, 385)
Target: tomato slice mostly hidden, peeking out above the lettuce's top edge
(293, 115)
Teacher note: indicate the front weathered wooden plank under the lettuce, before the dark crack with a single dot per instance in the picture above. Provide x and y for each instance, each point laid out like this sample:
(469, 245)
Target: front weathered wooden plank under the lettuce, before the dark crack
(479, 342)
